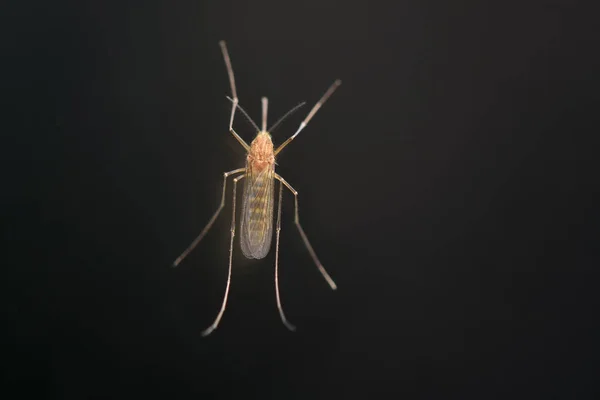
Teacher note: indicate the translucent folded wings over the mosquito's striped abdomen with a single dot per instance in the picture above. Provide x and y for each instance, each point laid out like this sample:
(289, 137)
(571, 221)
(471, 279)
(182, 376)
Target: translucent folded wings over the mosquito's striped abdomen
(257, 212)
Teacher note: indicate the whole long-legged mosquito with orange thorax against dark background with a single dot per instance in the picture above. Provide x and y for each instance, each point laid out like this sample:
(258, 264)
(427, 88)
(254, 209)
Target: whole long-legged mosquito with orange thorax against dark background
(256, 224)
